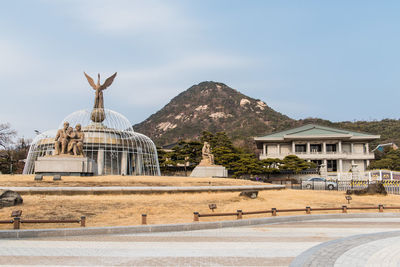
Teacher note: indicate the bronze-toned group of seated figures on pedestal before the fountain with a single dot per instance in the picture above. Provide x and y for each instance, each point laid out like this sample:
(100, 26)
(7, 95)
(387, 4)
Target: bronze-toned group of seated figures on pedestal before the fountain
(68, 141)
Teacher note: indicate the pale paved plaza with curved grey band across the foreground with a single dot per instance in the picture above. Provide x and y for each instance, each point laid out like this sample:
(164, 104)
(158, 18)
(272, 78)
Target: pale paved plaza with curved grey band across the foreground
(327, 242)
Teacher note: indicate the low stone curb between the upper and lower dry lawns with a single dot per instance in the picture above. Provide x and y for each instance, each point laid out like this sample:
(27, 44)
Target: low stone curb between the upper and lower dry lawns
(70, 190)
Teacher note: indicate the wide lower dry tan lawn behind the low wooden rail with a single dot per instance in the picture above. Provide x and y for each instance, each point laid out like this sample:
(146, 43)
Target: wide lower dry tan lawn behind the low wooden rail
(115, 210)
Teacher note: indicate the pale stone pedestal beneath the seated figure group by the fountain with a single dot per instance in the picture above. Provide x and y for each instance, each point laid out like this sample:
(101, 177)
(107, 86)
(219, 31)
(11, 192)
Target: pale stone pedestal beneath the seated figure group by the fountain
(65, 165)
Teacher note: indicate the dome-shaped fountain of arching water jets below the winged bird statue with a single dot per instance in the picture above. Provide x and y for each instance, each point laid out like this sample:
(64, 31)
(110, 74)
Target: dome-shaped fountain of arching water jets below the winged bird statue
(110, 142)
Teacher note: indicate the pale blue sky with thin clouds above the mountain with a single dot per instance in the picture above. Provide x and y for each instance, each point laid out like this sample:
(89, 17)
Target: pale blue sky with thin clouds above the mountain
(336, 60)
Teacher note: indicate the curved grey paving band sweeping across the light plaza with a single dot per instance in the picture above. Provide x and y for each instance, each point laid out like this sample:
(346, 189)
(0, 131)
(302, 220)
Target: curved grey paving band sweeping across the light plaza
(327, 253)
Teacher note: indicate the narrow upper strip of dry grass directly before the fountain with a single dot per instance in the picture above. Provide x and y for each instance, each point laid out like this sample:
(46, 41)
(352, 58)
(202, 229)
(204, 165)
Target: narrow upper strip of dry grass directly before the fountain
(117, 180)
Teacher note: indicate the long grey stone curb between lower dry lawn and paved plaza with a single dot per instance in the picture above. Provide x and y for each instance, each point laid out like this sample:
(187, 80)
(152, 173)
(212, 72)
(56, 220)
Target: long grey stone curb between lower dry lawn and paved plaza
(181, 227)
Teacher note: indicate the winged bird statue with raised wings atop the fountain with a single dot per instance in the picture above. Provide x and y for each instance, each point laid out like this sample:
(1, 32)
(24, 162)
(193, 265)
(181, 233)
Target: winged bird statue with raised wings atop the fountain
(98, 114)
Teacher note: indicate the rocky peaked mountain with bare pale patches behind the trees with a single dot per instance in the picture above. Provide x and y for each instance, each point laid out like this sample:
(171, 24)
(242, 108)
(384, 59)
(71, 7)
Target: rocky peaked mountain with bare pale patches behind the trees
(214, 107)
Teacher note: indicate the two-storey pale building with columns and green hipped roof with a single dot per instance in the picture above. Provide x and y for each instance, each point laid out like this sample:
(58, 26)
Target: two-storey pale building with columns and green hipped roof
(336, 149)
